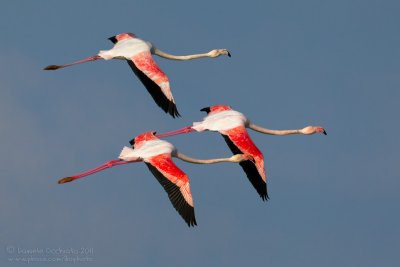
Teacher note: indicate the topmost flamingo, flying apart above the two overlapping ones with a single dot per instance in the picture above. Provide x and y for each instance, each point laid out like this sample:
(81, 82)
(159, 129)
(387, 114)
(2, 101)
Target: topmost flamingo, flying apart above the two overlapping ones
(138, 54)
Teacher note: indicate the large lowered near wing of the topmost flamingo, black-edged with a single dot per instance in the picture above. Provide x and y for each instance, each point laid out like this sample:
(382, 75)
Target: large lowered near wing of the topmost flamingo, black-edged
(155, 81)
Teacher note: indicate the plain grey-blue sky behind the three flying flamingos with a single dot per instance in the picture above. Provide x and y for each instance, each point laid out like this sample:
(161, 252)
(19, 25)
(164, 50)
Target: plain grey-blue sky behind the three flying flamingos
(334, 200)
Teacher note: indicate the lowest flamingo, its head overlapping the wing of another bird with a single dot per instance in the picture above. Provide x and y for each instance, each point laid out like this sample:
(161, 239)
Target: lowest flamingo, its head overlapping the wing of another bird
(157, 154)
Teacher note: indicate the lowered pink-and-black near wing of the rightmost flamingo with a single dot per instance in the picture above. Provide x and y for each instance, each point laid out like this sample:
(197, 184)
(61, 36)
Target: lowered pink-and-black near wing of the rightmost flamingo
(254, 170)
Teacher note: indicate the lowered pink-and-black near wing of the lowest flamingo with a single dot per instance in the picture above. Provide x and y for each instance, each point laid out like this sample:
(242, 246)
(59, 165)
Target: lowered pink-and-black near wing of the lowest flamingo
(176, 183)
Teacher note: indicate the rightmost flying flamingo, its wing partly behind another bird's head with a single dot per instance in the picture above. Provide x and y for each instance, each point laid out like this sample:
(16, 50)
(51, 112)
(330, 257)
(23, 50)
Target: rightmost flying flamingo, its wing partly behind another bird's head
(232, 126)
